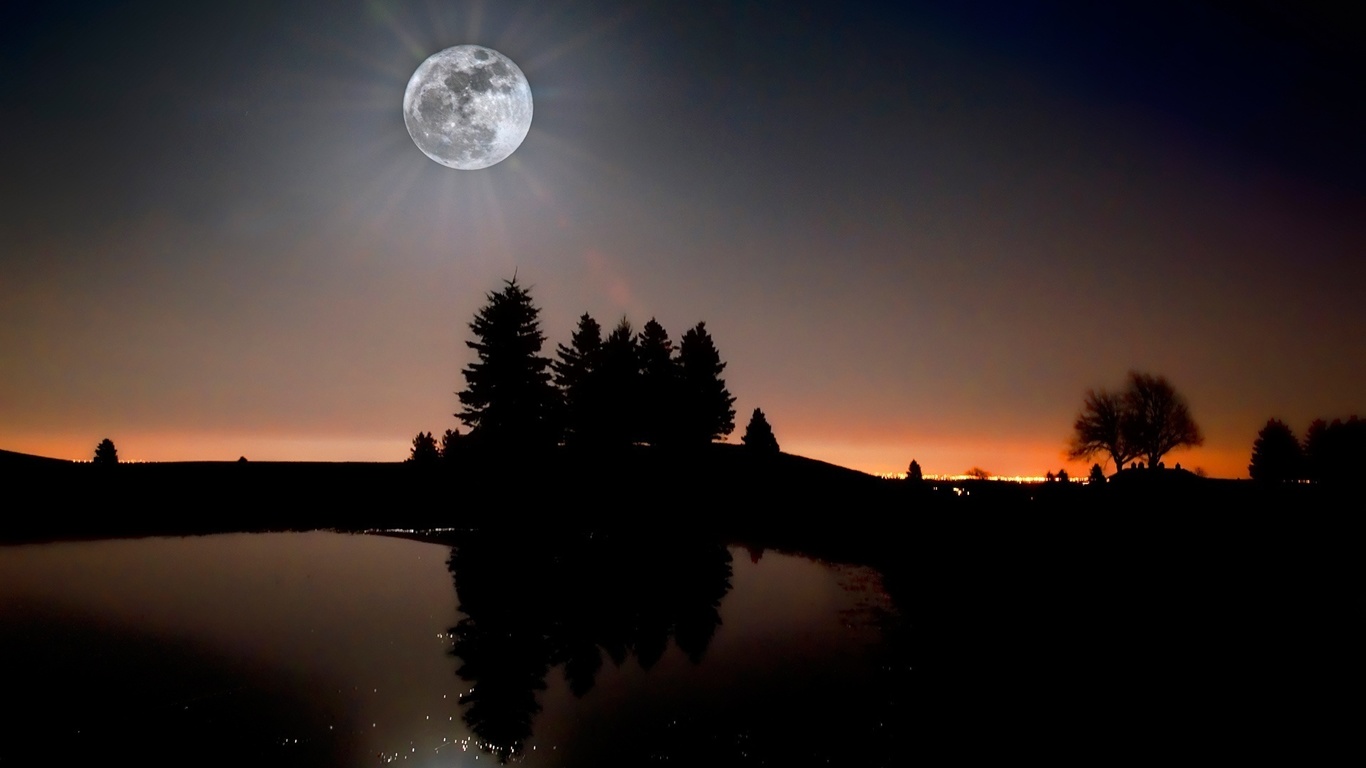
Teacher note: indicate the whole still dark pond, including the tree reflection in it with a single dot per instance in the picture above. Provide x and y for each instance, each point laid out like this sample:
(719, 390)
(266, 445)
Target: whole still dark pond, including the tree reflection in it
(335, 650)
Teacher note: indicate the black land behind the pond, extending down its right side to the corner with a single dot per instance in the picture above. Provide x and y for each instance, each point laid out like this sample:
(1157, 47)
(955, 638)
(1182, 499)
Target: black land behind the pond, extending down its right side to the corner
(1156, 616)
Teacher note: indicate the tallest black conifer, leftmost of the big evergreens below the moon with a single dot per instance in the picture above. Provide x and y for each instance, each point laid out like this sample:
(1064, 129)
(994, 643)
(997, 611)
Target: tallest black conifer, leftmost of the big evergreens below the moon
(509, 400)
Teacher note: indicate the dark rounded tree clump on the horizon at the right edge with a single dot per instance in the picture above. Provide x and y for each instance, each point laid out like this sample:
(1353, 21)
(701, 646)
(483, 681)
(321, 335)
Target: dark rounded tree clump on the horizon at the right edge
(1331, 453)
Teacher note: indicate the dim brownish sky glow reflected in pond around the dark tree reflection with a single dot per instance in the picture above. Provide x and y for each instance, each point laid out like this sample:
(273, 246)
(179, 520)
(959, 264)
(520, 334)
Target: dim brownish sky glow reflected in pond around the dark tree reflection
(353, 631)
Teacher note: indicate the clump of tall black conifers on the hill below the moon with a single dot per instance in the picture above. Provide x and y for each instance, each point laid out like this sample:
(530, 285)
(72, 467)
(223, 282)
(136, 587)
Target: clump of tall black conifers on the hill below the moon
(599, 393)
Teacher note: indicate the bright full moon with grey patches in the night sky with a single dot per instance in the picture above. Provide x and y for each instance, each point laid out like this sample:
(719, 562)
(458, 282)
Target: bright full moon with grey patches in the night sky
(468, 107)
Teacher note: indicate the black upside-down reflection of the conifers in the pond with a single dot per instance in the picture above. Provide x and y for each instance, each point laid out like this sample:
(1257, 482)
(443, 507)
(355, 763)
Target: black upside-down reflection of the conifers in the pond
(533, 603)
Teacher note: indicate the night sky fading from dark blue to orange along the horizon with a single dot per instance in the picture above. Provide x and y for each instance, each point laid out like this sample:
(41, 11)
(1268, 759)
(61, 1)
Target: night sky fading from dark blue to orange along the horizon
(913, 236)
